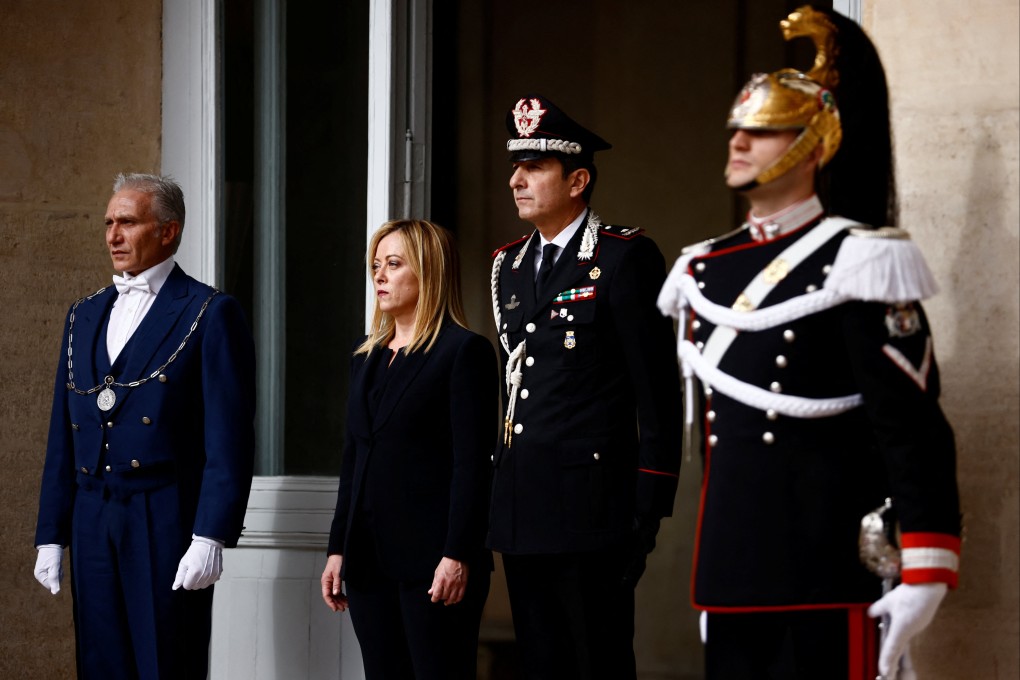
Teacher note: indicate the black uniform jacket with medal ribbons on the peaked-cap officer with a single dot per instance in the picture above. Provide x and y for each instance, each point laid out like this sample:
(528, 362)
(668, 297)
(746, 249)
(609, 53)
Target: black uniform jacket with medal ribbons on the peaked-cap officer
(595, 440)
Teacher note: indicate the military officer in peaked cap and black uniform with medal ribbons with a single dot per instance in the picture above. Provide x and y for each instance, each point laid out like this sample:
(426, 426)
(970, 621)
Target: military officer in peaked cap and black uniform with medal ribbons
(591, 451)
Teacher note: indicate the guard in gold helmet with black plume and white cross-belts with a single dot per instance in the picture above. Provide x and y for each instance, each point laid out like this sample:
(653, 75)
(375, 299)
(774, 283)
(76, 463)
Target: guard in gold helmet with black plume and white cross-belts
(803, 340)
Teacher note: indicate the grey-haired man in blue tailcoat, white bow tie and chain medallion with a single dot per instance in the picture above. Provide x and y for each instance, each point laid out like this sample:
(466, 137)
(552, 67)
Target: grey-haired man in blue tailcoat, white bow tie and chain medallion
(151, 448)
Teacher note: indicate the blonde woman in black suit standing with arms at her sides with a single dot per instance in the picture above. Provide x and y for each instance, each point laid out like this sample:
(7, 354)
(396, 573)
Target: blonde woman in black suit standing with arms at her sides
(407, 542)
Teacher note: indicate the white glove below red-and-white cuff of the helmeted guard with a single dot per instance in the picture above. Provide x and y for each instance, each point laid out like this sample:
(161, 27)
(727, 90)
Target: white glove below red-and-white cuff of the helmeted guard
(910, 609)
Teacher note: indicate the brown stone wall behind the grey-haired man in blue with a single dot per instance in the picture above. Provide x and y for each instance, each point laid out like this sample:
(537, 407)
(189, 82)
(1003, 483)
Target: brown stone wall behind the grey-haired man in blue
(80, 101)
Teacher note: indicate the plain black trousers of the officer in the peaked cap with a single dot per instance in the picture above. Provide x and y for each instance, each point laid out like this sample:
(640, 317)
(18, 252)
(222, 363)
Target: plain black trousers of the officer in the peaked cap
(573, 615)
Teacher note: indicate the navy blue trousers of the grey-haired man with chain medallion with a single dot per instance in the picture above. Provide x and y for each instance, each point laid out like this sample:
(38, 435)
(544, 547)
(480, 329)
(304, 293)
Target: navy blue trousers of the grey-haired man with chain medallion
(130, 624)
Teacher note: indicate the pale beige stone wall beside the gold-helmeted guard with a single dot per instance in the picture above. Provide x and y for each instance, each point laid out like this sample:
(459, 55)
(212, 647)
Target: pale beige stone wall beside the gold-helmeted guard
(953, 74)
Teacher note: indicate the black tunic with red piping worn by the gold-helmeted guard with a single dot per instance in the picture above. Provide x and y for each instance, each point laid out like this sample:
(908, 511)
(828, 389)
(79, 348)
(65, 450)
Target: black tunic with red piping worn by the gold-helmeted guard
(783, 497)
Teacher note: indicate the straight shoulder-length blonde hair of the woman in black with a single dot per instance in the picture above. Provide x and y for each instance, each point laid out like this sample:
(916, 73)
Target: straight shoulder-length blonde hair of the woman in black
(432, 255)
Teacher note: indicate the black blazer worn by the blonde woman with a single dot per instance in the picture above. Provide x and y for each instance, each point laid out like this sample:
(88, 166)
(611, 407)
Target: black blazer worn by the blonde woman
(424, 460)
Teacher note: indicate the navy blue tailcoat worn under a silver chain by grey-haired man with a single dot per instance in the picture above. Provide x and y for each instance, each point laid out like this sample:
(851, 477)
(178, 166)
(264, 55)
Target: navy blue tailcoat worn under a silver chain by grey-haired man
(191, 424)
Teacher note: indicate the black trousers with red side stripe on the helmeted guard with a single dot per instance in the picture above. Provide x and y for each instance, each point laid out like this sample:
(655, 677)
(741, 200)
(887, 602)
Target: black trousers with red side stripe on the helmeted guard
(809, 645)
